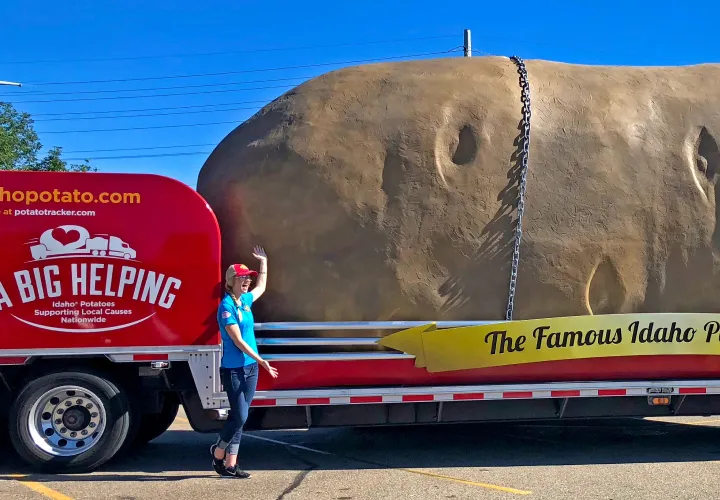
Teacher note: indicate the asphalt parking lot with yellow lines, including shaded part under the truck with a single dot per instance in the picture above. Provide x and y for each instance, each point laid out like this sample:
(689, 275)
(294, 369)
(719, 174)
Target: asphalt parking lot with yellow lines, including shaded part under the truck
(674, 458)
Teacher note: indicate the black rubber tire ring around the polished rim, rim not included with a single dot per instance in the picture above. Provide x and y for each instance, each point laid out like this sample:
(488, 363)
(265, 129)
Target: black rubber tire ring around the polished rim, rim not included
(116, 426)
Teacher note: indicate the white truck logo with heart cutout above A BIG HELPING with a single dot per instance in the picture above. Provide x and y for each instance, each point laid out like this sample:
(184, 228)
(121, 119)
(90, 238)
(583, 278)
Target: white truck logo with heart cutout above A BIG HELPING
(72, 241)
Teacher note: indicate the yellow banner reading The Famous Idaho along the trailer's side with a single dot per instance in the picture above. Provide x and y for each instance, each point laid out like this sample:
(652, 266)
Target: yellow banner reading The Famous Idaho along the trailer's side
(554, 339)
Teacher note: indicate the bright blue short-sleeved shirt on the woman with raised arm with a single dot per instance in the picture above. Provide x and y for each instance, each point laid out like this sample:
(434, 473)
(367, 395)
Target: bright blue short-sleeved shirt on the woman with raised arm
(230, 313)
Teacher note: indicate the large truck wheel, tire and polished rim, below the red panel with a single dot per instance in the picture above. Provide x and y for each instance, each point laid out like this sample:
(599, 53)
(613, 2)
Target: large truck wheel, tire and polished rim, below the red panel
(69, 421)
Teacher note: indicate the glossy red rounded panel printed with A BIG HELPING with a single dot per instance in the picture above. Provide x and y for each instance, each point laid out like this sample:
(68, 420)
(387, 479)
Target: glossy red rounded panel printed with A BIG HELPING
(106, 260)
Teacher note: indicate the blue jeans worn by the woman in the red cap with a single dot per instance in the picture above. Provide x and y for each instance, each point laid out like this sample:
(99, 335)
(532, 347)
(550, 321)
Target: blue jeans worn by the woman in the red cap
(240, 385)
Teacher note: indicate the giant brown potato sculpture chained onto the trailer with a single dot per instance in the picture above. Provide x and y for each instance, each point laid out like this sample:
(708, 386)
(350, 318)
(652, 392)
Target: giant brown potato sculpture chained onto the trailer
(389, 192)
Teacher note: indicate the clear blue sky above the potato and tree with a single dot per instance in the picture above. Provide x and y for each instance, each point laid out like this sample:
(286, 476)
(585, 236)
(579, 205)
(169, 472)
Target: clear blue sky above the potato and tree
(57, 48)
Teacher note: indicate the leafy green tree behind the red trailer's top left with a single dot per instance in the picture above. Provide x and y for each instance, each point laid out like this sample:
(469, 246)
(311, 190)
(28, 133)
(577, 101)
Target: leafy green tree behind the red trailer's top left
(20, 146)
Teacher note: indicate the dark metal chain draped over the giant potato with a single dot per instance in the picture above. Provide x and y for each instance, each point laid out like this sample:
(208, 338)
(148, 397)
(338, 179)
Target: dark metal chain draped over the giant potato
(525, 98)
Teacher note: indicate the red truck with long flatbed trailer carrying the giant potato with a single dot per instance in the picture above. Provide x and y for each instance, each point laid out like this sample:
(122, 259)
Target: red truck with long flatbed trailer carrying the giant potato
(109, 285)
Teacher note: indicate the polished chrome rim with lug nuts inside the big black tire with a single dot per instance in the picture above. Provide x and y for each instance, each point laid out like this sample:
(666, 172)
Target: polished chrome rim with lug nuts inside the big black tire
(67, 421)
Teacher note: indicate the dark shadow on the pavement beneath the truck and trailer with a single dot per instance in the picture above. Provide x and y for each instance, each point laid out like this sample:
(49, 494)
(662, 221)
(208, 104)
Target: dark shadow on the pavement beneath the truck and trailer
(180, 455)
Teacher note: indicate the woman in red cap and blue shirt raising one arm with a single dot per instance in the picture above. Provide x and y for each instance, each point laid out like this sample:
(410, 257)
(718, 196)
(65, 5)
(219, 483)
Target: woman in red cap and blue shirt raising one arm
(240, 360)
